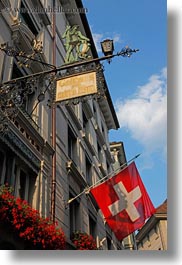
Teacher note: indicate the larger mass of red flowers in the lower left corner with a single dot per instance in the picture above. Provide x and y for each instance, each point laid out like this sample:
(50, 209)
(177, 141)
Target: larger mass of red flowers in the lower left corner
(27, 223)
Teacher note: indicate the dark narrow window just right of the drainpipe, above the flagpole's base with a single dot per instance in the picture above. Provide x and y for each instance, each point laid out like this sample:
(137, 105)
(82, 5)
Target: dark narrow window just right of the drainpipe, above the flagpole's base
(72, 145)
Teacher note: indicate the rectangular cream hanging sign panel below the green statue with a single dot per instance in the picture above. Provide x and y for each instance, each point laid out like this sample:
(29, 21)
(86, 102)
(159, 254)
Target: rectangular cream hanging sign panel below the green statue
(76, 86)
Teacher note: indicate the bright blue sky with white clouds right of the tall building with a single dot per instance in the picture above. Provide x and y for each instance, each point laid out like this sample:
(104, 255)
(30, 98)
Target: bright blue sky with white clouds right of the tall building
(138, 85)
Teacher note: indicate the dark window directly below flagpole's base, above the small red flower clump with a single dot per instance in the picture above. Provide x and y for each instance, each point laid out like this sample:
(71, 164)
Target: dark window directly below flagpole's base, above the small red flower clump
(74, 215)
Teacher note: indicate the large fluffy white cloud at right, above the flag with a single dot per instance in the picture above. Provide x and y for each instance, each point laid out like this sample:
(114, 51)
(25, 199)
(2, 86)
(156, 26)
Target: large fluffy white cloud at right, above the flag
(144, 115)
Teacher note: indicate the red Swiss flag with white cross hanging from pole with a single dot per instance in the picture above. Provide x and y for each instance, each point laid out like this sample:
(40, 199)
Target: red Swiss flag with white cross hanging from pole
(124, 201)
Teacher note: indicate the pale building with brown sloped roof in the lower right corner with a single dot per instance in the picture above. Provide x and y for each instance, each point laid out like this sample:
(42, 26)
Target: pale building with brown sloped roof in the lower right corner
(153, 235)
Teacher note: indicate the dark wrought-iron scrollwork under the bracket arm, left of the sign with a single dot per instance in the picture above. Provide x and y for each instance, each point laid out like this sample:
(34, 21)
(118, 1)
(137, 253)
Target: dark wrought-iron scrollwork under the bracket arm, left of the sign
(14, 94)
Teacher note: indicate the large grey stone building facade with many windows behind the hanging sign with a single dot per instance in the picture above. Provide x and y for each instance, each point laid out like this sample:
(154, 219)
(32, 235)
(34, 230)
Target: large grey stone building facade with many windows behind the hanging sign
(82, 150)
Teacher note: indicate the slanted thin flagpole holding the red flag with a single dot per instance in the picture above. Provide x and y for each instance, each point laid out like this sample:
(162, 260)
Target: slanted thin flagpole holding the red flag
(86, 190)
